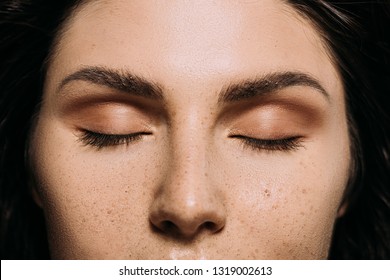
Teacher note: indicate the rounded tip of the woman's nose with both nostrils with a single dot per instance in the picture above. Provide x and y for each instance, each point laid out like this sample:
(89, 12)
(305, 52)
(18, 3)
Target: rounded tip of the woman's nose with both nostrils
(188, 221)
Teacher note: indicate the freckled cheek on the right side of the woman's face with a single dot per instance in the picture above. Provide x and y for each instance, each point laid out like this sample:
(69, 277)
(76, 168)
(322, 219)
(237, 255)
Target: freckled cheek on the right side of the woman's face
(288, 204)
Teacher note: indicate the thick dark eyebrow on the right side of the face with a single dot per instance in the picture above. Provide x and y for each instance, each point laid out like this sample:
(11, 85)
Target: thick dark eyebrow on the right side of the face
(269, 83)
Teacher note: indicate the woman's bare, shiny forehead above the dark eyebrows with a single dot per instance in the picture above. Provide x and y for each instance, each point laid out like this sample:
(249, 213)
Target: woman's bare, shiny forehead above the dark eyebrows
(192, 40)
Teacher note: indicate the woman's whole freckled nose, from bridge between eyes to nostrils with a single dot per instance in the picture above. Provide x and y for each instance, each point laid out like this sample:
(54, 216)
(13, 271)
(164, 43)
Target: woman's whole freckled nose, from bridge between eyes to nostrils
(186, 200)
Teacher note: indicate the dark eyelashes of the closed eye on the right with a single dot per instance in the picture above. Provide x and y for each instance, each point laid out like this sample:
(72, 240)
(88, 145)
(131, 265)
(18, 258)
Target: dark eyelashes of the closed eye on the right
(283, 144)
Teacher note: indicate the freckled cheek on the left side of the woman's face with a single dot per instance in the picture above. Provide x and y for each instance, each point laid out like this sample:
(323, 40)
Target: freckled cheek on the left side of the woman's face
(93, 201)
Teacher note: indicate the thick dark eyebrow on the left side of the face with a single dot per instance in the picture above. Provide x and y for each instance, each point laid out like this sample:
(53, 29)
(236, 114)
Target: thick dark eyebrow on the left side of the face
(116, 79)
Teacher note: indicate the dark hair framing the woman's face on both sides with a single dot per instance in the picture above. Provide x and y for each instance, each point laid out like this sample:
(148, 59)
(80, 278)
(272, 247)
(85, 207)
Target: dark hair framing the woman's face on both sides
(355, 33)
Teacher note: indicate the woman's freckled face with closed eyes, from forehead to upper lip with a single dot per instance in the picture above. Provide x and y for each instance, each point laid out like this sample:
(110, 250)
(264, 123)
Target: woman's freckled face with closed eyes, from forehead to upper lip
(188, 130)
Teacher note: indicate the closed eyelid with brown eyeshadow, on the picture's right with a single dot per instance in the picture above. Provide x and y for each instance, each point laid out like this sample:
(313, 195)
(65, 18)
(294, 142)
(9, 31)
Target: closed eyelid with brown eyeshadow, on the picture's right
(286, 112)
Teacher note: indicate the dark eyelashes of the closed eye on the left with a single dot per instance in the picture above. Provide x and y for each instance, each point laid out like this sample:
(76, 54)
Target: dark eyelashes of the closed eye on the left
(100, 140)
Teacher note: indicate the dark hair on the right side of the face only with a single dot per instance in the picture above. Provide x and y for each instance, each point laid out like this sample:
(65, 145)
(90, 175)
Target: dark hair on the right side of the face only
(357, 35)
